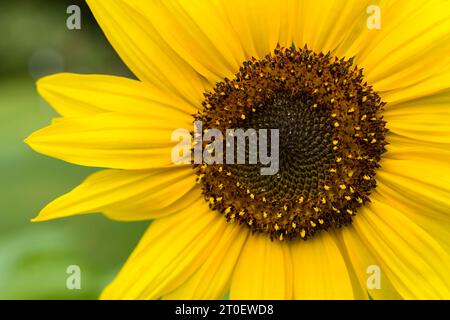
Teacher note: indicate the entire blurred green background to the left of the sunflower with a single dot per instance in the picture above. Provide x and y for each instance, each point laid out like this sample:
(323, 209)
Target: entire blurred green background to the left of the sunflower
(34, 41)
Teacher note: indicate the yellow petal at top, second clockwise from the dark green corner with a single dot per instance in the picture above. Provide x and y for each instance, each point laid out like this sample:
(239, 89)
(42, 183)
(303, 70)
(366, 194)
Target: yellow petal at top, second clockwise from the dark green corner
(197, 31)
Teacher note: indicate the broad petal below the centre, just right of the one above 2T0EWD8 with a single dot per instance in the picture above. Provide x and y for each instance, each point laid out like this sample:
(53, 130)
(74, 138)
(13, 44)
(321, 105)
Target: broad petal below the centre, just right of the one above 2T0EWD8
(320, 271)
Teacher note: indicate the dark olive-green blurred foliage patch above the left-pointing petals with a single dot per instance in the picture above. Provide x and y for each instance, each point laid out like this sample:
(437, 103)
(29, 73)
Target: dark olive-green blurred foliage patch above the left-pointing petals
(32, 25)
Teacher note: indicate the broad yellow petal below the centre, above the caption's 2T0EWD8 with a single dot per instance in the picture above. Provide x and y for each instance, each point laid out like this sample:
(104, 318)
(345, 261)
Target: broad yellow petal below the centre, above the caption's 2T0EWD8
(263, 271)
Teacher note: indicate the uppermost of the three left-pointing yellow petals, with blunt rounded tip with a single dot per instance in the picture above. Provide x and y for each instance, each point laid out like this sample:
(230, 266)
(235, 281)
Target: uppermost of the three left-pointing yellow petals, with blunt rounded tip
(81, 95)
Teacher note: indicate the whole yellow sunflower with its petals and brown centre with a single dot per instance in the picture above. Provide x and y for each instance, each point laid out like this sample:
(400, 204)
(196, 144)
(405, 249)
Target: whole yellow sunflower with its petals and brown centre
(363, 183)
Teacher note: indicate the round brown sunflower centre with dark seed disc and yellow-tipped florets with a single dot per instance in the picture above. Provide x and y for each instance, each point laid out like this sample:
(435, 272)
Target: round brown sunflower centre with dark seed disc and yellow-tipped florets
(331, 138)
